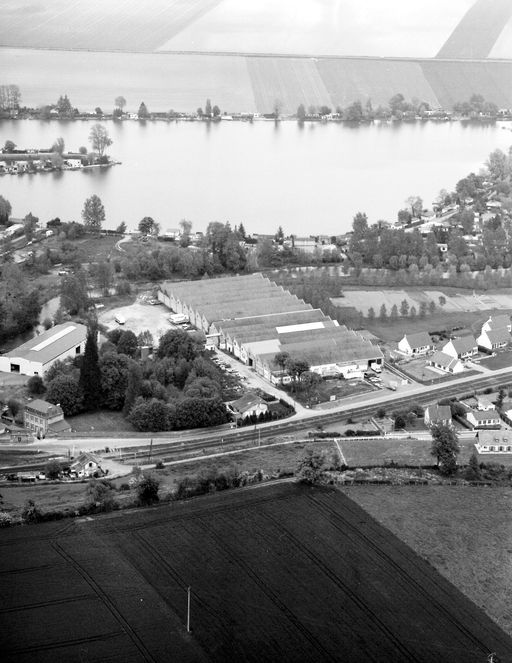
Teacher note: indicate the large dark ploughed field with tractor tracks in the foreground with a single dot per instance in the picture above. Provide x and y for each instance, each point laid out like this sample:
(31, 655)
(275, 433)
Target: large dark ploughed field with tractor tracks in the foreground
(285, 573)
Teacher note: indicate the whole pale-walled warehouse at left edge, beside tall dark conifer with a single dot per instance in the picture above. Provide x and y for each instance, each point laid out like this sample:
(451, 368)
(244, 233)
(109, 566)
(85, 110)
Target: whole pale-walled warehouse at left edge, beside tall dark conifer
(37, 355)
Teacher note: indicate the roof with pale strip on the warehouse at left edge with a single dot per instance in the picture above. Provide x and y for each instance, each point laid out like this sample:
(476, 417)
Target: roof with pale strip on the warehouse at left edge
(51, 344)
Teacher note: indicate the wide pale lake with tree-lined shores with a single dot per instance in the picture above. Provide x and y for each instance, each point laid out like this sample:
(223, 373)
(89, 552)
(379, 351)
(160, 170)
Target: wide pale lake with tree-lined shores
(309, 179)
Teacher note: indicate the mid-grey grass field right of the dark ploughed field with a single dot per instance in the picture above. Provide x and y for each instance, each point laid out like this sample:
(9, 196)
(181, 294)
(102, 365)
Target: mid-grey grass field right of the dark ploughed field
(465, 532)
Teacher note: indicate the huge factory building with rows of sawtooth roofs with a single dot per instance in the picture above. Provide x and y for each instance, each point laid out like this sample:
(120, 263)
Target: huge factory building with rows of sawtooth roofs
(254, 319)
